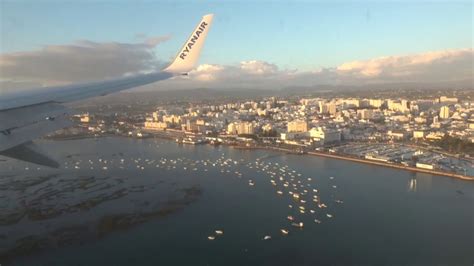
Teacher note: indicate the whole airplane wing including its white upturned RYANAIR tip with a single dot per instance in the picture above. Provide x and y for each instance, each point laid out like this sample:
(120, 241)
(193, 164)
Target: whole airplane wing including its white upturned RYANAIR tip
(30, 114)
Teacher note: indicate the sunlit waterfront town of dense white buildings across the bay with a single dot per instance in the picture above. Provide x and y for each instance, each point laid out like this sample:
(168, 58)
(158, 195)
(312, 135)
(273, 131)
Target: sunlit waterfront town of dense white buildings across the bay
(430, 134)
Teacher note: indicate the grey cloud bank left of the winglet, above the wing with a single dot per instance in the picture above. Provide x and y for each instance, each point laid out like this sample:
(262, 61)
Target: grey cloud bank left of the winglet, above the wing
(82, 61)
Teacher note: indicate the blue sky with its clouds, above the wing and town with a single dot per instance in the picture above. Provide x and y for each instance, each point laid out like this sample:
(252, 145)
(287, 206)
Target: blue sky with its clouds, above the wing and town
(253, 43)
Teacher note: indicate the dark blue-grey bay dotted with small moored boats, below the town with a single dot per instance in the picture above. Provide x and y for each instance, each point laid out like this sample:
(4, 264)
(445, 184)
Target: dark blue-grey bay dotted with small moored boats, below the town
(123, 201)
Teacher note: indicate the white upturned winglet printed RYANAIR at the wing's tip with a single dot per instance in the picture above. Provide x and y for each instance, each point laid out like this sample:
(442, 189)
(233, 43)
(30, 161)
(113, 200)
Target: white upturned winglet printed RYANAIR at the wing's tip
(189, 54)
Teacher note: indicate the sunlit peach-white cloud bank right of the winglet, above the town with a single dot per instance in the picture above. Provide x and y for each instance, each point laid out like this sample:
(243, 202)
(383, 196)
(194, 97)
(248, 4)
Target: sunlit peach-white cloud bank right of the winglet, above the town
(438, 66)
